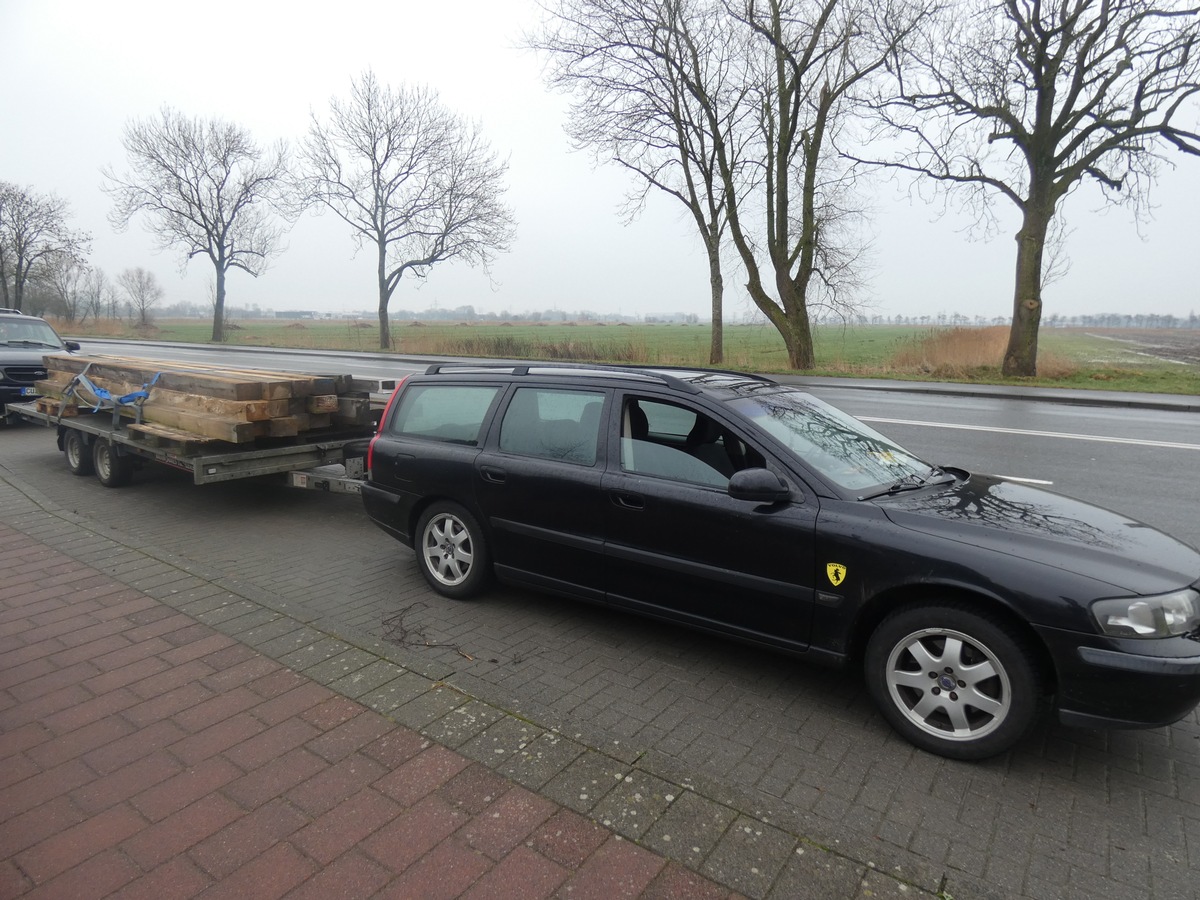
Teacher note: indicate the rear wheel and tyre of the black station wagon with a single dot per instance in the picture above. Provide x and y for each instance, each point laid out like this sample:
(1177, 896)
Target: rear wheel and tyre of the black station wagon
(452, 551)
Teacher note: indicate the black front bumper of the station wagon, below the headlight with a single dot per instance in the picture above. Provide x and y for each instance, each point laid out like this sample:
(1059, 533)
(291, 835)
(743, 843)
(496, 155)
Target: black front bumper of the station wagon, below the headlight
(1106, 683)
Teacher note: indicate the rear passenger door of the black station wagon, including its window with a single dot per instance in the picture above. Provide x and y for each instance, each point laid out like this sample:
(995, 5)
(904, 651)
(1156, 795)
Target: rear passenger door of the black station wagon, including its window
(539, 481)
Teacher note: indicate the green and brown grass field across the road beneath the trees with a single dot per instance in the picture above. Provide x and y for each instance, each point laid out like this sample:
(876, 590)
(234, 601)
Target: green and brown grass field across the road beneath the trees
(1124, 359)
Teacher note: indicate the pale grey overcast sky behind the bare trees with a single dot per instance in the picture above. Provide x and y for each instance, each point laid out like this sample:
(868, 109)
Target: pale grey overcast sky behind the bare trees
(75, 71)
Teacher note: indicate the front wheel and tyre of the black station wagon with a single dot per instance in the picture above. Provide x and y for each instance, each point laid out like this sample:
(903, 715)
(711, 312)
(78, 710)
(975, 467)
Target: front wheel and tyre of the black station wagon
(957, 683)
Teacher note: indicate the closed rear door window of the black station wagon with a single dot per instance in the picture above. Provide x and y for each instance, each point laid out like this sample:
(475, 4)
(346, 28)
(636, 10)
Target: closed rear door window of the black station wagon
(554, 425)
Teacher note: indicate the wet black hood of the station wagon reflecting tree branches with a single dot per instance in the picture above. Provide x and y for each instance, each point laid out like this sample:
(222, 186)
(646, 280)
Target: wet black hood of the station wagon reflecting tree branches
(1052, 530)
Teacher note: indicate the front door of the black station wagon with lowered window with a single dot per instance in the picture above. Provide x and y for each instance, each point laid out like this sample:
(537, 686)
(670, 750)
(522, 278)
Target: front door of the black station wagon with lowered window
(681, 548)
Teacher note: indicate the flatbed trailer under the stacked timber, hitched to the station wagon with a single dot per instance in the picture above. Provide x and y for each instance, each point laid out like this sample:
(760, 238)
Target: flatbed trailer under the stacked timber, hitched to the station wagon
(99, 443)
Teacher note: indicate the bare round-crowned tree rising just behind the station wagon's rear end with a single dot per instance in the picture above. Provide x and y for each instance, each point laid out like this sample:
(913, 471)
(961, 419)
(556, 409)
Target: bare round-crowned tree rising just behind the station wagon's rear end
(409, 177)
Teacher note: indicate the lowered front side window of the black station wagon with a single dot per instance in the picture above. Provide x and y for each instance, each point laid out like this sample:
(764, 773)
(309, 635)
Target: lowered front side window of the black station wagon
(680, 443)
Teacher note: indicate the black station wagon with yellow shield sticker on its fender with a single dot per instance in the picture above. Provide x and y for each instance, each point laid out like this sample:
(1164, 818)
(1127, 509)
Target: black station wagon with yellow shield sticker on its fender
(739, 506)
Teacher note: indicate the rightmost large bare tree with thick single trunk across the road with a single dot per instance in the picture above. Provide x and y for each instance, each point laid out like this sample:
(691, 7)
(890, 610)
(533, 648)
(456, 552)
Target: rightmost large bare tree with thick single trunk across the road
(1029, 100)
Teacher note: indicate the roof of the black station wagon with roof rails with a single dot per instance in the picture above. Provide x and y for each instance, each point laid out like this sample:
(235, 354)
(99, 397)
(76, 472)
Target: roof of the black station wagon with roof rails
(686, 380)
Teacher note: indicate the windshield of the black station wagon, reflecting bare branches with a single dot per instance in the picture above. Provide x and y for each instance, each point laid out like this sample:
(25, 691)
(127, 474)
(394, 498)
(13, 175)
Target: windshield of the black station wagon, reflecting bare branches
(837, 446)
